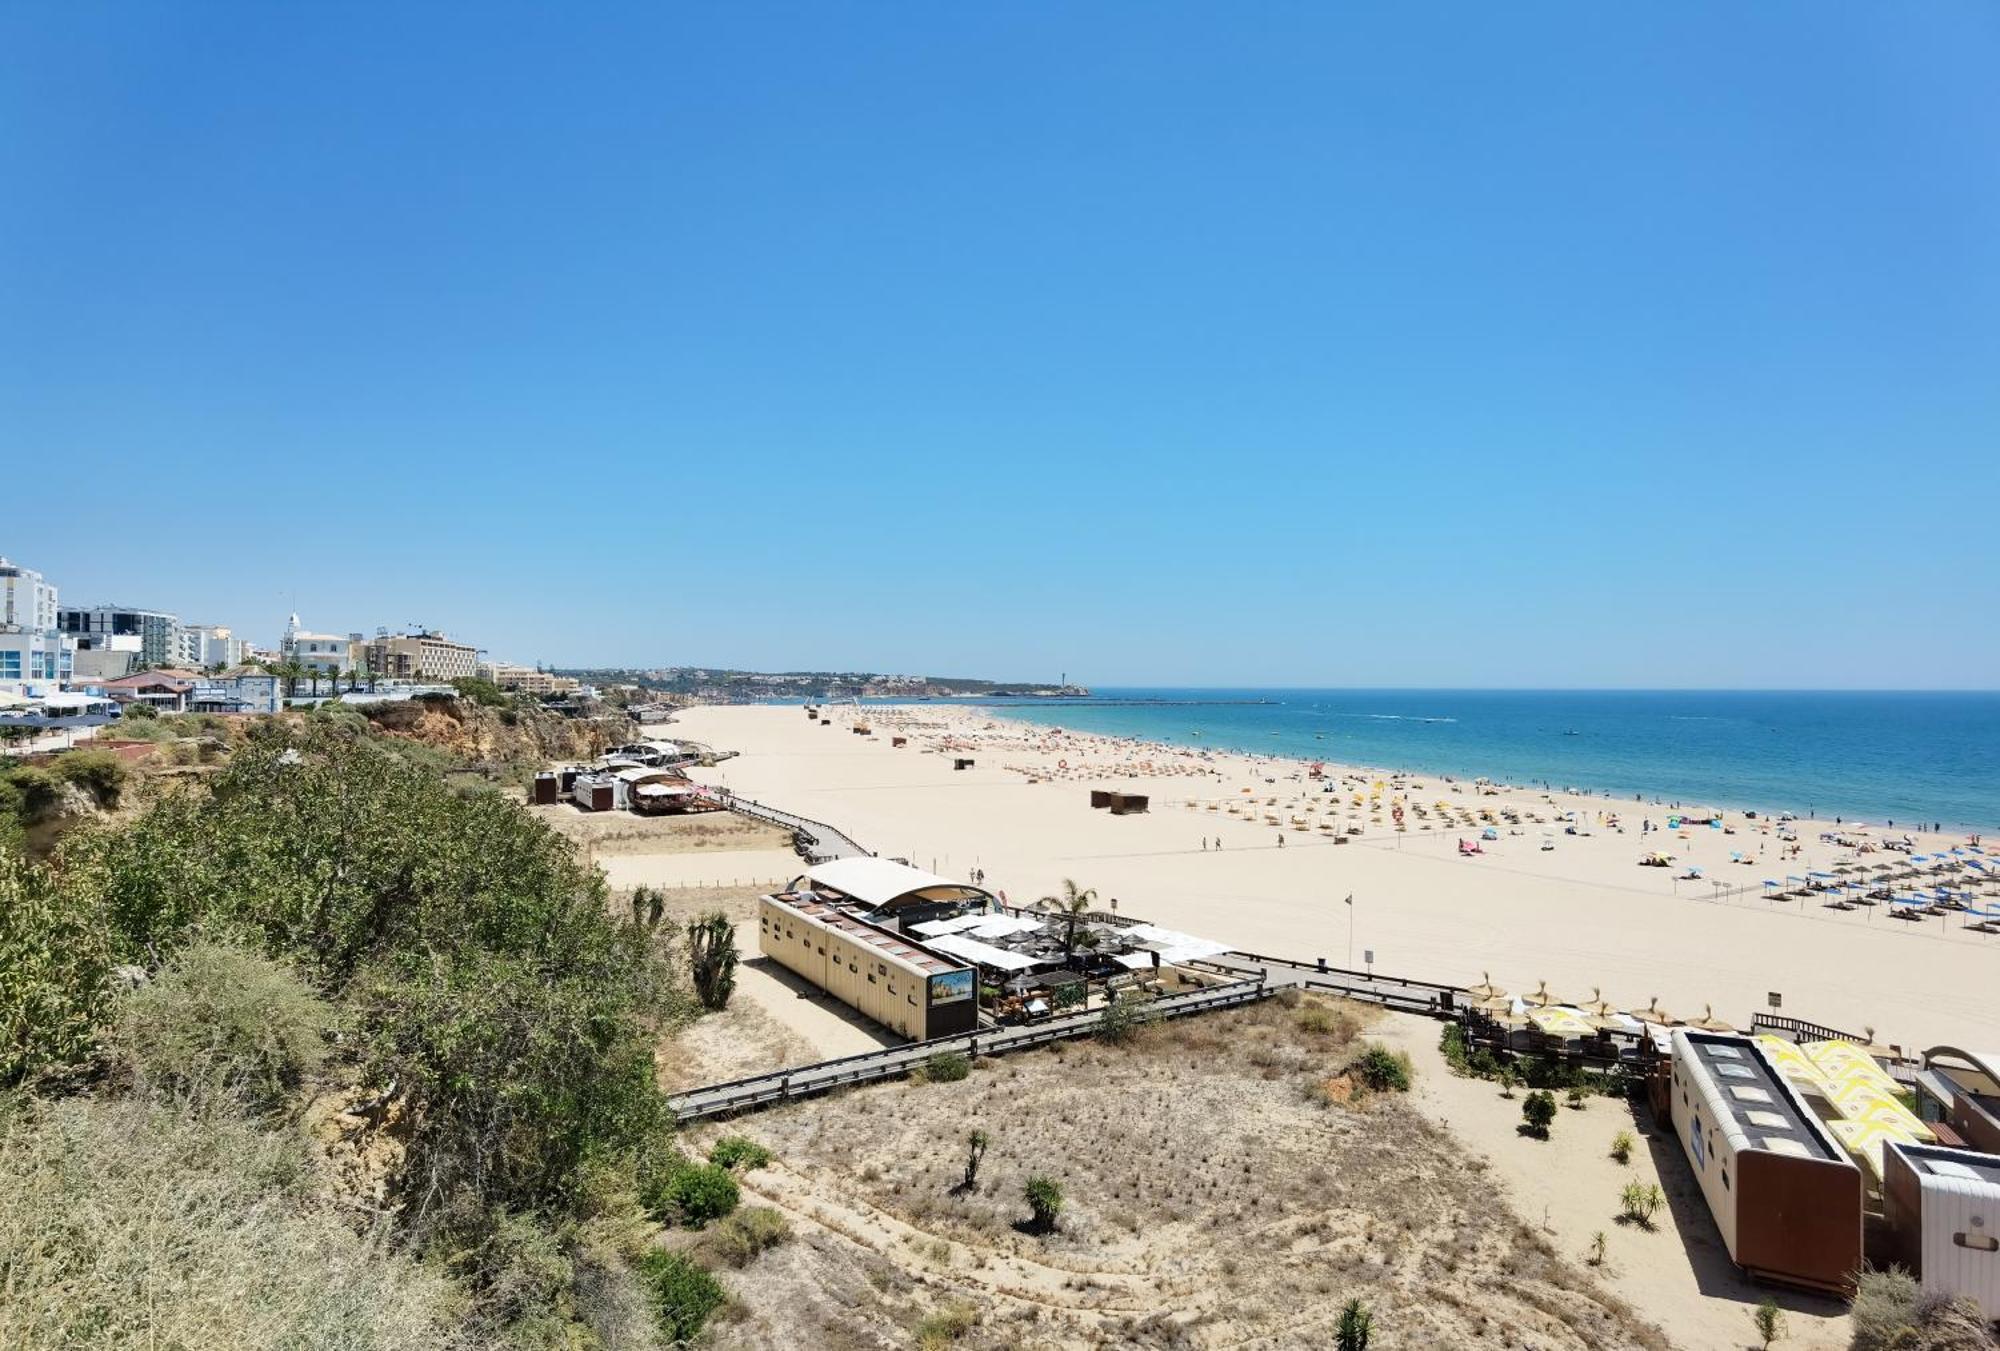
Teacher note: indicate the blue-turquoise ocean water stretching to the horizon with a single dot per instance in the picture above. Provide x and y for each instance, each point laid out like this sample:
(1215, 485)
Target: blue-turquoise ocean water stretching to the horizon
(1881, 756)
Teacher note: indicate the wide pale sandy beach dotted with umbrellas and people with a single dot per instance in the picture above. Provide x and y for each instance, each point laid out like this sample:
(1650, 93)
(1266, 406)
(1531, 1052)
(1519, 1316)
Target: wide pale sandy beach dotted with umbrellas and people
(1581, 914)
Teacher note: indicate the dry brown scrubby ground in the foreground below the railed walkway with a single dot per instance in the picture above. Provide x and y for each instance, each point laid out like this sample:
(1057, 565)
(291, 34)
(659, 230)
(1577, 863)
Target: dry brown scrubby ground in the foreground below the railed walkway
(1215, 1198)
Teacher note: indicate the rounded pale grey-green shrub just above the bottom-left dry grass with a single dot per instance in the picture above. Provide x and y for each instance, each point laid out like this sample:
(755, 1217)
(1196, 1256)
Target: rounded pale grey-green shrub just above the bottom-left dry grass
(223, 1026)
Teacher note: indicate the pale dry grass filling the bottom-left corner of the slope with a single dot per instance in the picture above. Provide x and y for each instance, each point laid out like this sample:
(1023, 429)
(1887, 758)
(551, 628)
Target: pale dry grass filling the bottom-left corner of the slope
(127, 1226)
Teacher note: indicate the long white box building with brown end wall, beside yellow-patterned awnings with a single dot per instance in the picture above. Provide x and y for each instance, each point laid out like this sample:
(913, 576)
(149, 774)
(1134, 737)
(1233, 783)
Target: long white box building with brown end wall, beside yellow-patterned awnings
(1783, 1190)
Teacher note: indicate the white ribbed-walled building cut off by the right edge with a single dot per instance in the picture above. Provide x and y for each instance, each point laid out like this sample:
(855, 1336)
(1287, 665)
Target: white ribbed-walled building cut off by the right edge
(1943, 1210)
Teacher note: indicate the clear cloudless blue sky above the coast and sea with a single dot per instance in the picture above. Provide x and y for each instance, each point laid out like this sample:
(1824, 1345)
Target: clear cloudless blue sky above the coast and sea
(1305, 345)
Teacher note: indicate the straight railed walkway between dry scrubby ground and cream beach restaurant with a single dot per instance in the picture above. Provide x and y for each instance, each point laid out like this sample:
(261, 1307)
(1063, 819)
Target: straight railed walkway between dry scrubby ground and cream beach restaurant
(887, 1064)
